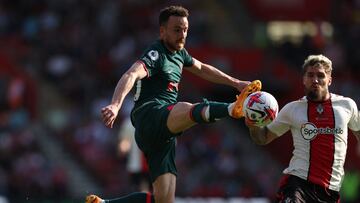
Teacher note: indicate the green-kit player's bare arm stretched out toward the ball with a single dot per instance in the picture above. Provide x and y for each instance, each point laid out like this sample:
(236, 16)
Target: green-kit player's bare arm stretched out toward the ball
(214, 75)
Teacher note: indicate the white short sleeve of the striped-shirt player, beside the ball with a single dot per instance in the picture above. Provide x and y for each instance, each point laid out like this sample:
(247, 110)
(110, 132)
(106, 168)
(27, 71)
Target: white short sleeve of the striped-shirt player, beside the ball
(282, 122)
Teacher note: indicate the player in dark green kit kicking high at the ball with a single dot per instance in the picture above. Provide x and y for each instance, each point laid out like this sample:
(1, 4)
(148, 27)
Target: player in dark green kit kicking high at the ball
(157, 115)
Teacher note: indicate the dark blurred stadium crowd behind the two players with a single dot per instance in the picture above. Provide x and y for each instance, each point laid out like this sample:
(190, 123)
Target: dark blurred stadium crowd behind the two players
(60, 62)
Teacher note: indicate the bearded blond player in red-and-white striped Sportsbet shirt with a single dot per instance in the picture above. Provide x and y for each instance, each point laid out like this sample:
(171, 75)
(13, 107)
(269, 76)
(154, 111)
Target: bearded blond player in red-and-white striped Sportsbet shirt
(319, 125)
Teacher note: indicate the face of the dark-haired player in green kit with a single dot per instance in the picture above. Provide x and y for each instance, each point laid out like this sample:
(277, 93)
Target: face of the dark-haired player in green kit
(174, 33)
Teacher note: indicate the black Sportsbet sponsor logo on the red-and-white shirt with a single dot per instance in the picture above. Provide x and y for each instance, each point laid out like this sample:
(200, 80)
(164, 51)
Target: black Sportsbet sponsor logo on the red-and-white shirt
(309, 131)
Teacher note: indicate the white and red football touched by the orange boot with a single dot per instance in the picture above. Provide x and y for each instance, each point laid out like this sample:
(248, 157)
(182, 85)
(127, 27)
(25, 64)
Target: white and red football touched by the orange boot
(260, 108)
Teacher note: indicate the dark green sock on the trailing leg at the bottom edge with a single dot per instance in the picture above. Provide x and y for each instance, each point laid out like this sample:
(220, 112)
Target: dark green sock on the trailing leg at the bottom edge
(136, 197)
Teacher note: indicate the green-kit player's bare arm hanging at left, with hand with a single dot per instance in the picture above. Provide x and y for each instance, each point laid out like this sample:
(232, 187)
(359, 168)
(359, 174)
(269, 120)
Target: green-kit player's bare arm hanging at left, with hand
(123, 87)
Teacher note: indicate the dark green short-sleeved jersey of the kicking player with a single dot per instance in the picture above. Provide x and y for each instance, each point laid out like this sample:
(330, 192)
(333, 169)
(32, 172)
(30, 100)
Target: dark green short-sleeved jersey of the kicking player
(164, 70)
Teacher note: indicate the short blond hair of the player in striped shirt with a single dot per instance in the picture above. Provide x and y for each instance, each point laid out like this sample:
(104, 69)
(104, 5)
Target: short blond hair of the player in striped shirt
(317, 60)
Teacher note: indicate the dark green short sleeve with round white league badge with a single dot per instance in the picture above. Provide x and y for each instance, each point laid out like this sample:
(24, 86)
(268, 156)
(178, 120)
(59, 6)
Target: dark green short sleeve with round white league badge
(152, 60)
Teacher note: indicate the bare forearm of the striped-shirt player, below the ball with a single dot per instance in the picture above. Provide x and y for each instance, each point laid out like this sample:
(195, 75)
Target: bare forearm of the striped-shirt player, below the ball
(261, 135)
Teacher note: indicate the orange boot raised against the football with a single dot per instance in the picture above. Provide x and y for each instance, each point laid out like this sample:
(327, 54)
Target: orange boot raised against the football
(254, 86)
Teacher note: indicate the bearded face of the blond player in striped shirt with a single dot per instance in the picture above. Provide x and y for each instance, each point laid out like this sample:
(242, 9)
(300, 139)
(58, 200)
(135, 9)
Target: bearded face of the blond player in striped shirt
(317, 82)
